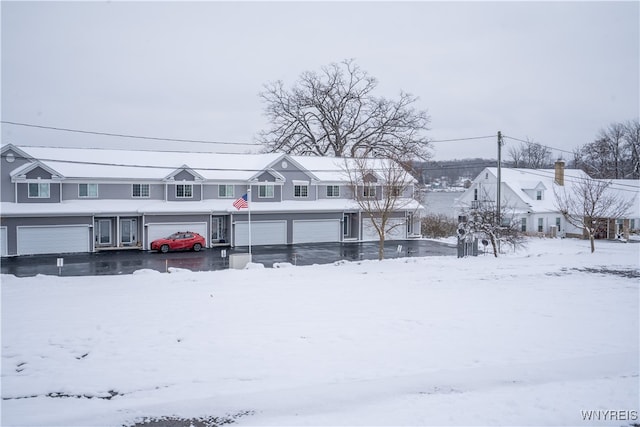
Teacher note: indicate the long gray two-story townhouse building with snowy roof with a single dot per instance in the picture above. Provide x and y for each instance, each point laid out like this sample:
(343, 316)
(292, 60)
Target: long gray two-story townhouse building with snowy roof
(65, 200)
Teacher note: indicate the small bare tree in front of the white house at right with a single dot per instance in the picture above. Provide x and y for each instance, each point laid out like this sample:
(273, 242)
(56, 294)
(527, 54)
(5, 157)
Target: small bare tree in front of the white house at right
(588, 202)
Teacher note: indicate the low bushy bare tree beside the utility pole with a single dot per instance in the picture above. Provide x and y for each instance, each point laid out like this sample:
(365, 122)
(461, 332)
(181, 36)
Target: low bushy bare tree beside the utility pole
(480, 220)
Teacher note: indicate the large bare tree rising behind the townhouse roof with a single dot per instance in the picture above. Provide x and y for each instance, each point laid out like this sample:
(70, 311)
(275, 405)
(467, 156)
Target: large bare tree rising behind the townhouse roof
(334, 113)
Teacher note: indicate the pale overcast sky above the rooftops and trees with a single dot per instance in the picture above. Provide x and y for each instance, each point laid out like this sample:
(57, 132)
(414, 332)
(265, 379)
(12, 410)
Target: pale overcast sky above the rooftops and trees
(552, 72)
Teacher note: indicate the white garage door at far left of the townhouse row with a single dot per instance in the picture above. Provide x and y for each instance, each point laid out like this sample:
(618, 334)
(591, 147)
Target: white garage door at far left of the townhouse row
(53, 239)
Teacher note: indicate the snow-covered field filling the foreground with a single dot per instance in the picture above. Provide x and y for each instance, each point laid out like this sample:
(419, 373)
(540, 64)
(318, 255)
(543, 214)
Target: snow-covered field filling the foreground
(545, 336)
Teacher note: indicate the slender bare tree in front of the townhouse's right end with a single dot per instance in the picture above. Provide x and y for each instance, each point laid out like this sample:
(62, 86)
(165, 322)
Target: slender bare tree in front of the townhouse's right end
(383, 189)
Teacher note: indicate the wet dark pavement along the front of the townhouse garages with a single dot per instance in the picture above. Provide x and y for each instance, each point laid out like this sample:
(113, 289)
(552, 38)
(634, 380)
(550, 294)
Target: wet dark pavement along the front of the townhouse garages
(128, 261)
